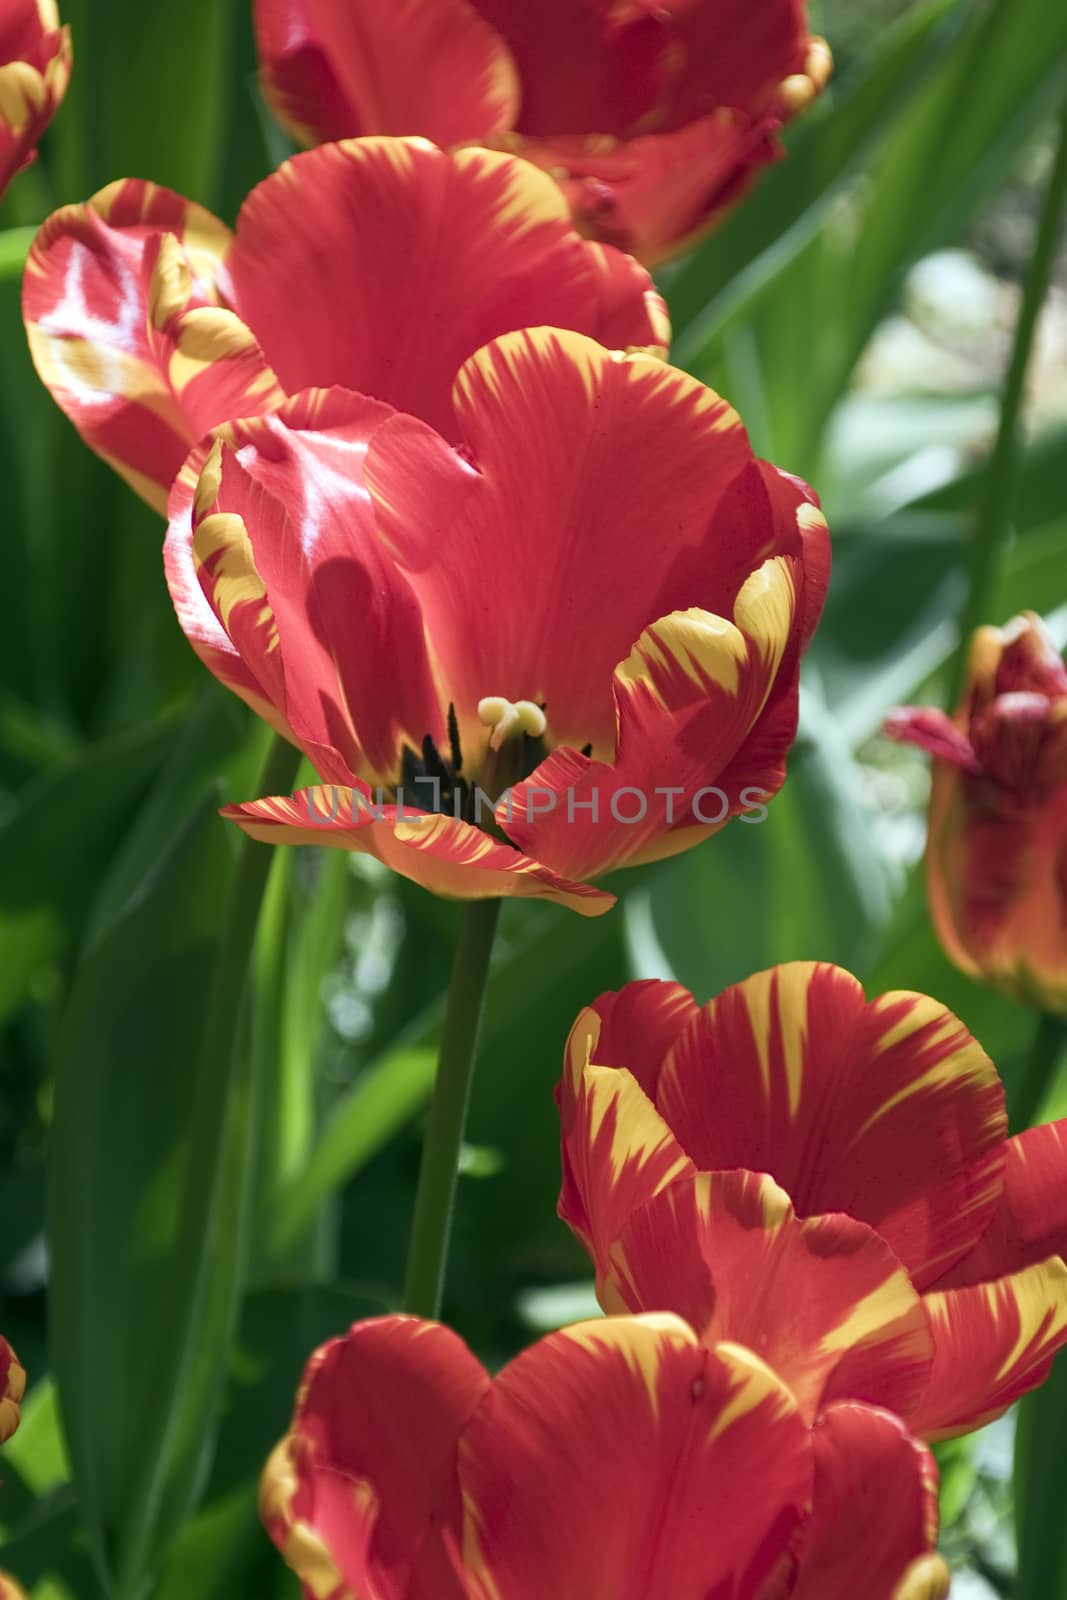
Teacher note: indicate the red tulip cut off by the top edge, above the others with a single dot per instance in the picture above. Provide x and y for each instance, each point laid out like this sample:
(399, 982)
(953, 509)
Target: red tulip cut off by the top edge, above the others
(655, 119)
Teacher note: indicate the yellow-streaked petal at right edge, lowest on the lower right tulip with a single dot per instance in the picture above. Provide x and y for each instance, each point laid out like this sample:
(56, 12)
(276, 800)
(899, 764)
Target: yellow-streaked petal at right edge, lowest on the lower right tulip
(993, 1343)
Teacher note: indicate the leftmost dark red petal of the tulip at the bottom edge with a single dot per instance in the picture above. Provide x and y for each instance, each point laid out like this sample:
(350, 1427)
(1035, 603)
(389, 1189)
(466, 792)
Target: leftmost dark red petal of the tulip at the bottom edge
(361, 1495)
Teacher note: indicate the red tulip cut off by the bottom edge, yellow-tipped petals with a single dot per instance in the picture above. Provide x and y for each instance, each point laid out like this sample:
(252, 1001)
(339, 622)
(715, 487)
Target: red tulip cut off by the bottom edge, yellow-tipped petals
(613, 1458)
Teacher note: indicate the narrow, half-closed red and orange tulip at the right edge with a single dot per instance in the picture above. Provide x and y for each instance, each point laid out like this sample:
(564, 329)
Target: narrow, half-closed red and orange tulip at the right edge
(999, 815)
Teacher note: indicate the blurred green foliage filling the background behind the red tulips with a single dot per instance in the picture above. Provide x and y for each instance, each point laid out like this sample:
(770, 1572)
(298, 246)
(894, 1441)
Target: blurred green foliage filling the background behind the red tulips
(860, 311)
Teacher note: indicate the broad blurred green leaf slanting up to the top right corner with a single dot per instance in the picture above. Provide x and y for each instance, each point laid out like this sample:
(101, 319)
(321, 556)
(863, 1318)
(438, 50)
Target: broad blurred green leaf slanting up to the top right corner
(786, 351)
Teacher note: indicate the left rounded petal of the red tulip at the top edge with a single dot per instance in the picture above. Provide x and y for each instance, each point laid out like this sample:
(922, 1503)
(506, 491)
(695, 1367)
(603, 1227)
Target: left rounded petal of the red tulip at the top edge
(340, 68)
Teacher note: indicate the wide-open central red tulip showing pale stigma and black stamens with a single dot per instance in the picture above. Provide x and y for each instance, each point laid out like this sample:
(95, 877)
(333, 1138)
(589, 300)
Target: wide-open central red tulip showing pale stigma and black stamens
(569, 642)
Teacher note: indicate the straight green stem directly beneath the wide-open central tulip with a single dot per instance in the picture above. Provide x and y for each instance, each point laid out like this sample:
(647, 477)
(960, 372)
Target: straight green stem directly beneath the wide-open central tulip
(436, 1194)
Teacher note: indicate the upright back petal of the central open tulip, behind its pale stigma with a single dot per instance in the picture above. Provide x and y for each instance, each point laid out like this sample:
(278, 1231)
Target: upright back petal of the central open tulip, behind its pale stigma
(557, 431)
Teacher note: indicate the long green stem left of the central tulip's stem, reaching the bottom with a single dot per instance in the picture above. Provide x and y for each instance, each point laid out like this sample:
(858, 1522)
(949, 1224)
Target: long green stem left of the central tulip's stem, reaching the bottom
(222, 1081)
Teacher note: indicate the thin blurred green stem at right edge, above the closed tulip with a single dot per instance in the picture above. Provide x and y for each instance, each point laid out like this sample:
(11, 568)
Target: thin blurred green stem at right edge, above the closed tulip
(994, 522)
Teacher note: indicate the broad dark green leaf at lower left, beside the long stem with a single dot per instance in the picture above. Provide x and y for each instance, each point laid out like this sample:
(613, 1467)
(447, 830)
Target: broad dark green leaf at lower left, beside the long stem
(126, 1095)
